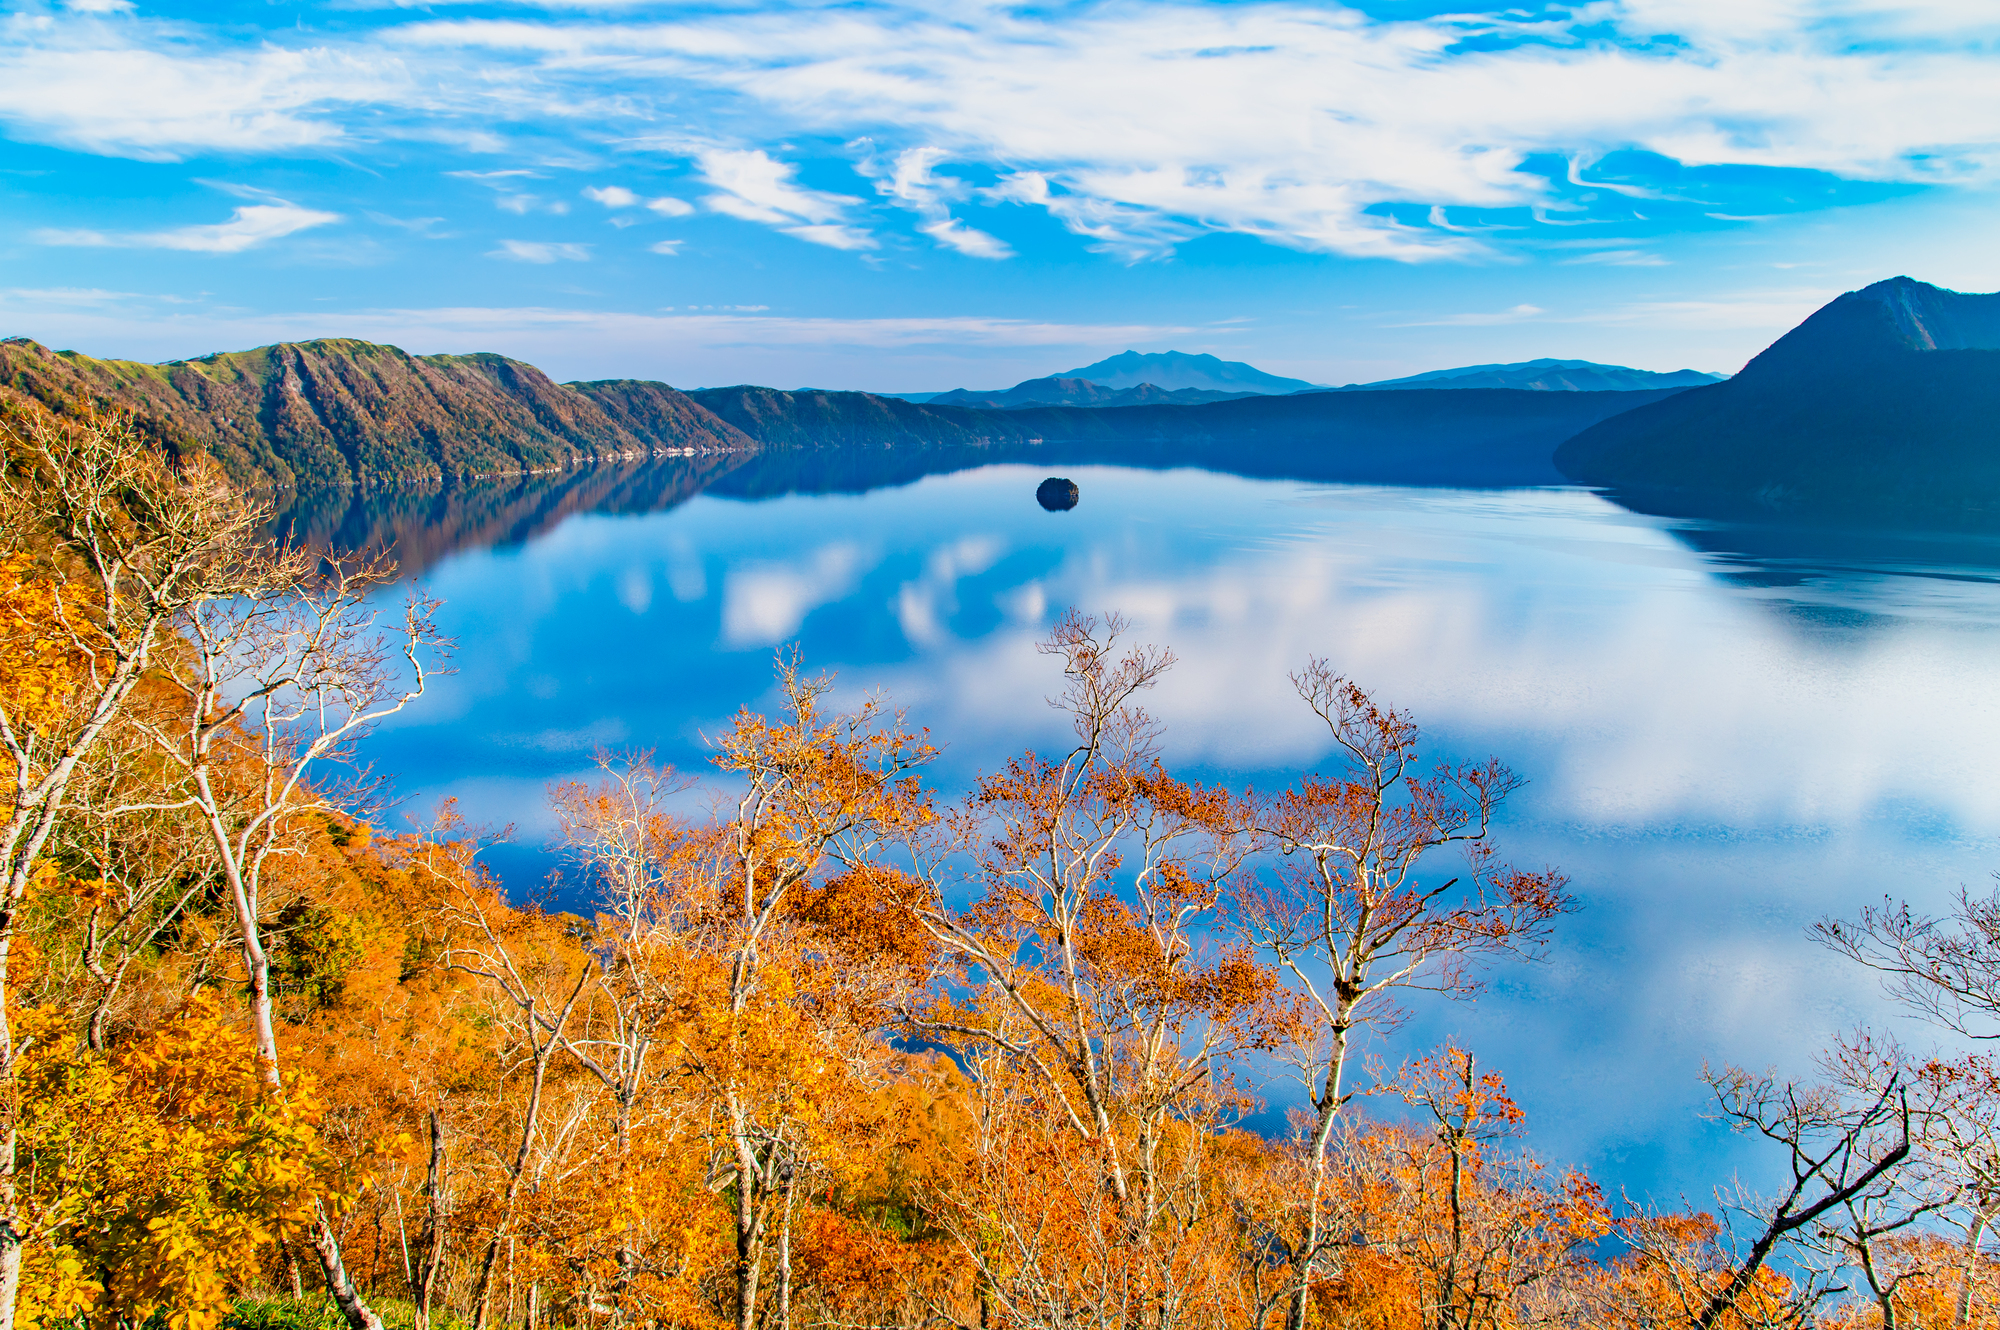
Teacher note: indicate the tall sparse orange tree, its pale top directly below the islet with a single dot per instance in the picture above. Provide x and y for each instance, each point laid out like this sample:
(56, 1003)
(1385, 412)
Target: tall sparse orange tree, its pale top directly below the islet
(1093, 1003)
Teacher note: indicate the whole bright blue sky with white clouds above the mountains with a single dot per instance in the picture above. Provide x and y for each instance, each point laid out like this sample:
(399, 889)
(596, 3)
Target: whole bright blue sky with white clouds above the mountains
(919, 197)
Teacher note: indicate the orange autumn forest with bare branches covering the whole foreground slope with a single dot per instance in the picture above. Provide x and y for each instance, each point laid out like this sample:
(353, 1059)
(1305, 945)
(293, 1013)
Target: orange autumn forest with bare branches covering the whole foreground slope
(835, 1049)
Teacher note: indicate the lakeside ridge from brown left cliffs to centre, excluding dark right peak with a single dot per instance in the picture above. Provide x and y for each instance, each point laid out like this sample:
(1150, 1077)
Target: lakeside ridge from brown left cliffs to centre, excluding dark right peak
(343, 413)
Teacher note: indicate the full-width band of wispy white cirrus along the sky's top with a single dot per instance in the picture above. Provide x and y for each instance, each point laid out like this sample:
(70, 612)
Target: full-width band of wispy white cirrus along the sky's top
(1137, 125)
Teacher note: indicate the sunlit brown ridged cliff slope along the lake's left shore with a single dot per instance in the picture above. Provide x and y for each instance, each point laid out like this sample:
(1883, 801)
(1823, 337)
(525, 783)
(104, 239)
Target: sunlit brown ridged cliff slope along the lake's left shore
(335, 413)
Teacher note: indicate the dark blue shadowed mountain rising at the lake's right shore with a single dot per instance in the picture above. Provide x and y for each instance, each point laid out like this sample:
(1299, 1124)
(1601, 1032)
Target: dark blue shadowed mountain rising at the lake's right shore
(1887, 403)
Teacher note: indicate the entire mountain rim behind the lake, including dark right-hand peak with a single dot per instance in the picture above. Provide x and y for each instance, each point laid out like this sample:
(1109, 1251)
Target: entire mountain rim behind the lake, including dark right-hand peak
(1883, 403)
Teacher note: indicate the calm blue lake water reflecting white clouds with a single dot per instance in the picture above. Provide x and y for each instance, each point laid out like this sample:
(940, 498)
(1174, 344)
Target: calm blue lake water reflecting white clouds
(1725, 735)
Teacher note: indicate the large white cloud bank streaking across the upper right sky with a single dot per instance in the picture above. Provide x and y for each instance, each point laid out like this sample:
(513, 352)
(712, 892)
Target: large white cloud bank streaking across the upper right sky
(1297, 123)
